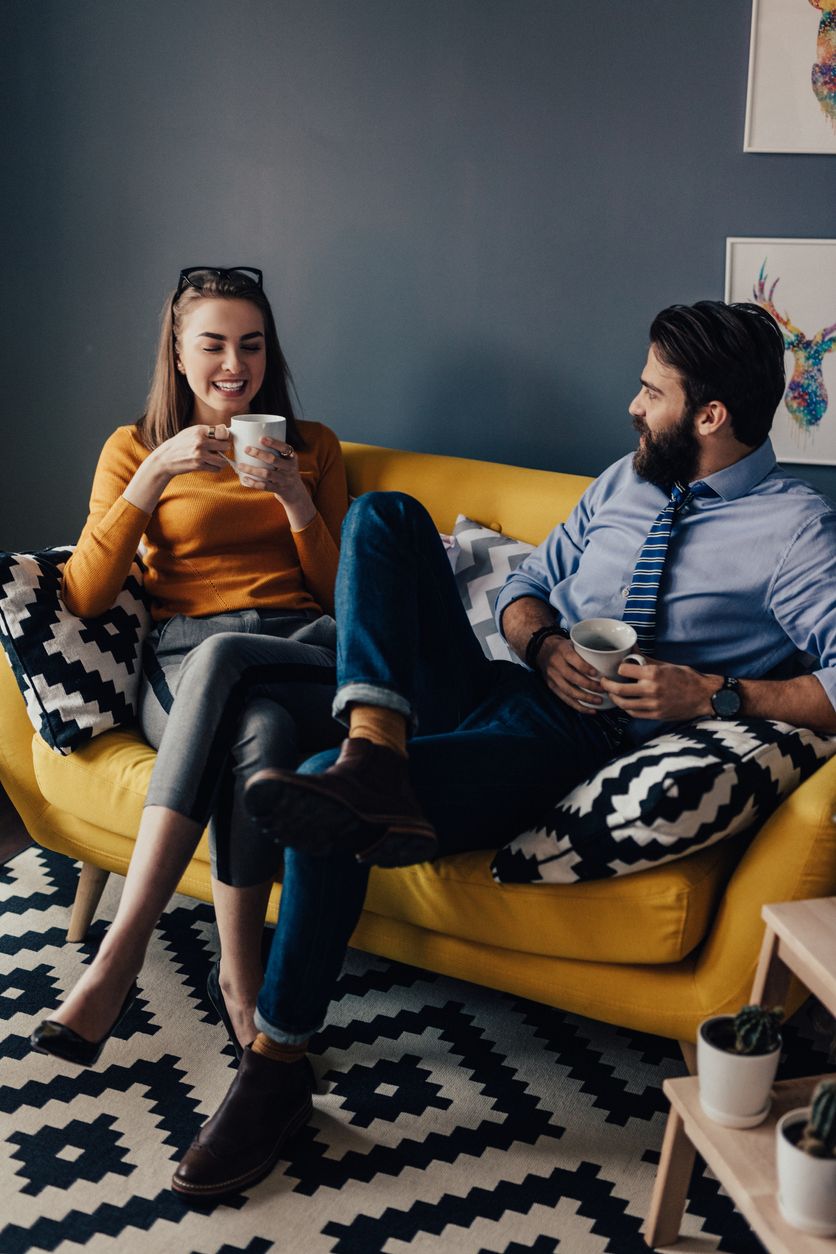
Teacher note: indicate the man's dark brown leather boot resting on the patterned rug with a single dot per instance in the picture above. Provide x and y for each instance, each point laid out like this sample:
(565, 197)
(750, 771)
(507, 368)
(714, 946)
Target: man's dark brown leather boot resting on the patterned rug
(265, 1107)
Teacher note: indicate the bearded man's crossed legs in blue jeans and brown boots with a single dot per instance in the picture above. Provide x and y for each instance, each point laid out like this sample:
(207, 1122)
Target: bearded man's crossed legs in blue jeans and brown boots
(496, 752)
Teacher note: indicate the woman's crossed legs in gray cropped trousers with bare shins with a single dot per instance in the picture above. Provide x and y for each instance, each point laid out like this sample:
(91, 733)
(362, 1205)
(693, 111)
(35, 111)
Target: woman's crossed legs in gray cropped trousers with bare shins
(243, 700)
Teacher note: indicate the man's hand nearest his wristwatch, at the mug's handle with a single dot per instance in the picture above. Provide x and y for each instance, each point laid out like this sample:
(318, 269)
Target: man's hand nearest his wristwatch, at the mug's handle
(661, 690)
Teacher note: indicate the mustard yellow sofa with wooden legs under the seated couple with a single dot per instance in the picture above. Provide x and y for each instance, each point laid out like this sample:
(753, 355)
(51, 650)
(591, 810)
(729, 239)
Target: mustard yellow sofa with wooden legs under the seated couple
(657, 951)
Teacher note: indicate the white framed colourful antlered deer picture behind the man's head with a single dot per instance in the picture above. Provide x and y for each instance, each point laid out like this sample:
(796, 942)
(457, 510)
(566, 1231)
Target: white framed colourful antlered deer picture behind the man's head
(795, 280)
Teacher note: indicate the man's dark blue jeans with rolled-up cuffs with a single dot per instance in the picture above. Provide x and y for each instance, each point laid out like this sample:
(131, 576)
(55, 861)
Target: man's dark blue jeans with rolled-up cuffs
(492, 751)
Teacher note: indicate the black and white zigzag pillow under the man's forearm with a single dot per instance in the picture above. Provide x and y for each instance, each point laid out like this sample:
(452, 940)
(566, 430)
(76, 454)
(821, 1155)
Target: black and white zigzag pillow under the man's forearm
(674, 796)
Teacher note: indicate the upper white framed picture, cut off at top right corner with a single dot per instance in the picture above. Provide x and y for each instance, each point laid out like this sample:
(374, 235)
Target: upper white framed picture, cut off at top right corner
(792, 97)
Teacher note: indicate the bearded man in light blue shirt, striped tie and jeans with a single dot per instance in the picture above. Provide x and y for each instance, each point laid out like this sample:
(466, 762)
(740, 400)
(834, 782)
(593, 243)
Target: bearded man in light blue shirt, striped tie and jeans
(728, 567)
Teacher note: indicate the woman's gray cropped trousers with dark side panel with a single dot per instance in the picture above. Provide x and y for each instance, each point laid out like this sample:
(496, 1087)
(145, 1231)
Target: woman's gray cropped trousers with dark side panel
(222, 698)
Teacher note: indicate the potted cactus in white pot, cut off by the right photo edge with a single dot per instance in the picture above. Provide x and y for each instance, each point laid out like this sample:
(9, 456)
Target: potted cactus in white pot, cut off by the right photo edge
(807, 1162)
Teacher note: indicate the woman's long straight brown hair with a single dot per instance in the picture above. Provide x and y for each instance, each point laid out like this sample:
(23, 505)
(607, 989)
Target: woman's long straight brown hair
(171, 402)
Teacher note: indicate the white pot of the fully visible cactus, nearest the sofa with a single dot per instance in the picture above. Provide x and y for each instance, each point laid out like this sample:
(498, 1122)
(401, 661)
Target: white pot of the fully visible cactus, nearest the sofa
(735, 1089)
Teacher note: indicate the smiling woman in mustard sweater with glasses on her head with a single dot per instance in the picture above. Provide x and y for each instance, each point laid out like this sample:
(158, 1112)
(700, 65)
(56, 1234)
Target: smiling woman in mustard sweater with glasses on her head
(239, 673)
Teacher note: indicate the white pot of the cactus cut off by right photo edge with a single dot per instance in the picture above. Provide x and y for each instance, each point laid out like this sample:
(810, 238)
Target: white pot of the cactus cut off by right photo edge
(807, 1186)
